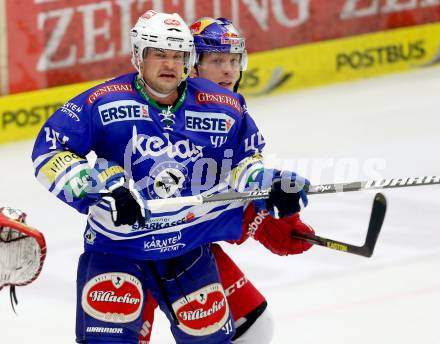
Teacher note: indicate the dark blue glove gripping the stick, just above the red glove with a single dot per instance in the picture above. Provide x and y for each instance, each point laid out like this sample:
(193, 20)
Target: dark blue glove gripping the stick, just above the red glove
(287, 193)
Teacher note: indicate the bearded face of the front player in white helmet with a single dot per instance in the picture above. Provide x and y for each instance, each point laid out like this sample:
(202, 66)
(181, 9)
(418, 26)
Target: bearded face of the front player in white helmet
(163, 69)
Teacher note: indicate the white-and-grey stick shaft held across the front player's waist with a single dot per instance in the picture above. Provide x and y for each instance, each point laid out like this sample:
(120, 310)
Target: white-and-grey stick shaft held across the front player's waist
(391, 183)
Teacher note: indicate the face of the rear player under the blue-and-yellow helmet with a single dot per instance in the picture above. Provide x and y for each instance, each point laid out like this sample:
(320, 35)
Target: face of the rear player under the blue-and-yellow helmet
(221, 68)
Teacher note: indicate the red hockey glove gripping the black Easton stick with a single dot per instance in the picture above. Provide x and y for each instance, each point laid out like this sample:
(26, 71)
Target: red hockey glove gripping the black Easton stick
(274, 233)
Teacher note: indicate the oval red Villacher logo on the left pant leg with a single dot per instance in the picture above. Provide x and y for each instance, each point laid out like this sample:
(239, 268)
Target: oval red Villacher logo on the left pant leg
(113, 297)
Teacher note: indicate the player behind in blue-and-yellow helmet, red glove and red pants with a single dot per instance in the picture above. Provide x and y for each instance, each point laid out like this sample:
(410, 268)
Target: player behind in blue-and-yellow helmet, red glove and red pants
(222, 58)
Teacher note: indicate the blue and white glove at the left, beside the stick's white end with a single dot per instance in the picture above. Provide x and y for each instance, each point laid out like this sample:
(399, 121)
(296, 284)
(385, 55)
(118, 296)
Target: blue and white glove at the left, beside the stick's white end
(109, 182)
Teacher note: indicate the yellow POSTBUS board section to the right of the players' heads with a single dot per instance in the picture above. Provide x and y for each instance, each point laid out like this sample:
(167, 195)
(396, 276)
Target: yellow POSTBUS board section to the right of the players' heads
(341, 60)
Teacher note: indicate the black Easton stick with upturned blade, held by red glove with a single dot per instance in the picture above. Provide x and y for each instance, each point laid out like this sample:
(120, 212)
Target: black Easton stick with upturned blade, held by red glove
(366, 250)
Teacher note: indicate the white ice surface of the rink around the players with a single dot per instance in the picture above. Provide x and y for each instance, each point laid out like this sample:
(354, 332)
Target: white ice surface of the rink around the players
(385, 127)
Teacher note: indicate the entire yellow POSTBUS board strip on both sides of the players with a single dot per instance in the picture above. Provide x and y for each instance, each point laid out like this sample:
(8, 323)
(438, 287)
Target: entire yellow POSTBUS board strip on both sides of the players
(281, 70)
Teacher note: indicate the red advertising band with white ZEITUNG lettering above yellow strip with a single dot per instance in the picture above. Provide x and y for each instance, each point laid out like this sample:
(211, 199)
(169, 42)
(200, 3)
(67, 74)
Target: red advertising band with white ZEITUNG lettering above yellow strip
(71, 45)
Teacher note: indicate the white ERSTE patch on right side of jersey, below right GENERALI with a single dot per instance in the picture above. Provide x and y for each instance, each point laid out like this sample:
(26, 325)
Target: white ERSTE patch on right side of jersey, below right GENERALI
(209, 122)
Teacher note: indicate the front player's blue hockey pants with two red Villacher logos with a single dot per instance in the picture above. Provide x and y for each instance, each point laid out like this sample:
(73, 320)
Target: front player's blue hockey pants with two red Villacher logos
(111, 293)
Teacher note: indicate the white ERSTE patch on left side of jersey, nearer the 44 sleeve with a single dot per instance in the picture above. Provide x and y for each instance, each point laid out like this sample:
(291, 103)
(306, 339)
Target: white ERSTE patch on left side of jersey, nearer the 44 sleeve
(123, 110)
